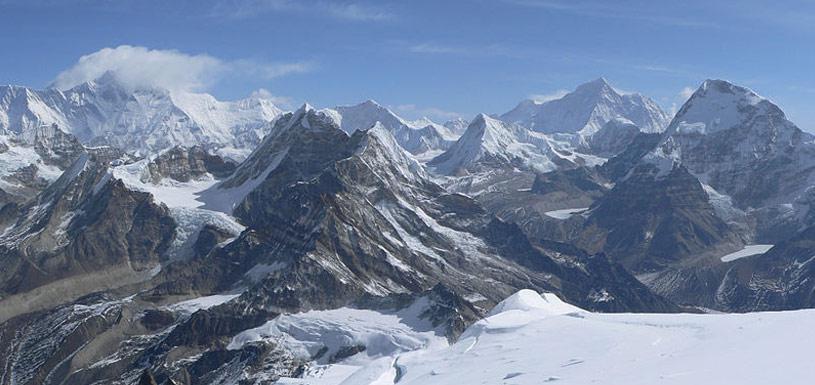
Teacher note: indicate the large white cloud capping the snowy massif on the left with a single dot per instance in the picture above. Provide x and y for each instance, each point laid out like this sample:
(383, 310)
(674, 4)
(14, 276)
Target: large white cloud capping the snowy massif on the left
(139, 67)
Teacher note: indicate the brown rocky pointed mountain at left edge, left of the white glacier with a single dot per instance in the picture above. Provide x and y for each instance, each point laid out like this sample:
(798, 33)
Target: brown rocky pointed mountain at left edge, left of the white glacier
(85, 232)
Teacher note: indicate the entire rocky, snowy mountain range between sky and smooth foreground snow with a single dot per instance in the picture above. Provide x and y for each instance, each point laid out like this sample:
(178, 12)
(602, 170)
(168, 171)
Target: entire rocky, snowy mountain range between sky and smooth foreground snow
(157, 237)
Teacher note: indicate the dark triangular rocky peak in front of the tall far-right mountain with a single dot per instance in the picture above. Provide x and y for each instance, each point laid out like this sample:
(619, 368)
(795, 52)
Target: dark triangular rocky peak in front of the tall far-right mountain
(656, 217)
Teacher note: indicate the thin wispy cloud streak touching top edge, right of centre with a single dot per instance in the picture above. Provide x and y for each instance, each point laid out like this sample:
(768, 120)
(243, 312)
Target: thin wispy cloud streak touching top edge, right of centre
(614, 10)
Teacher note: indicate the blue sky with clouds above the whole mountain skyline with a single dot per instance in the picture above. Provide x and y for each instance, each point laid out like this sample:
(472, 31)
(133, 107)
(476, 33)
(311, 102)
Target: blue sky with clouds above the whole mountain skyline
(436, 58)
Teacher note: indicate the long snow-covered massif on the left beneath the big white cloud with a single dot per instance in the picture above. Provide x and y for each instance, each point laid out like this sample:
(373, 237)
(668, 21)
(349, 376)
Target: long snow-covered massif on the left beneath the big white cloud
(139, 120)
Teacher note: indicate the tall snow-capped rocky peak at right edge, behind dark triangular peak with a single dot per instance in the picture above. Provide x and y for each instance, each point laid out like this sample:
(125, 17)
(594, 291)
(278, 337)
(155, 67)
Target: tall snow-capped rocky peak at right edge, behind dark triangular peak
(743, 146)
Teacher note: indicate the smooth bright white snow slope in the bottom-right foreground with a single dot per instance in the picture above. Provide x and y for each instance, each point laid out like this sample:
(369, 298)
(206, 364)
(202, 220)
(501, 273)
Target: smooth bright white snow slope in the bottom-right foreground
(532, 339)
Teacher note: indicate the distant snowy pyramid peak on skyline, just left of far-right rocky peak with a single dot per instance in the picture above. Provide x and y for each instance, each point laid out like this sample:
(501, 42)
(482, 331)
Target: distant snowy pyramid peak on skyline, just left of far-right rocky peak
(587, 109)
